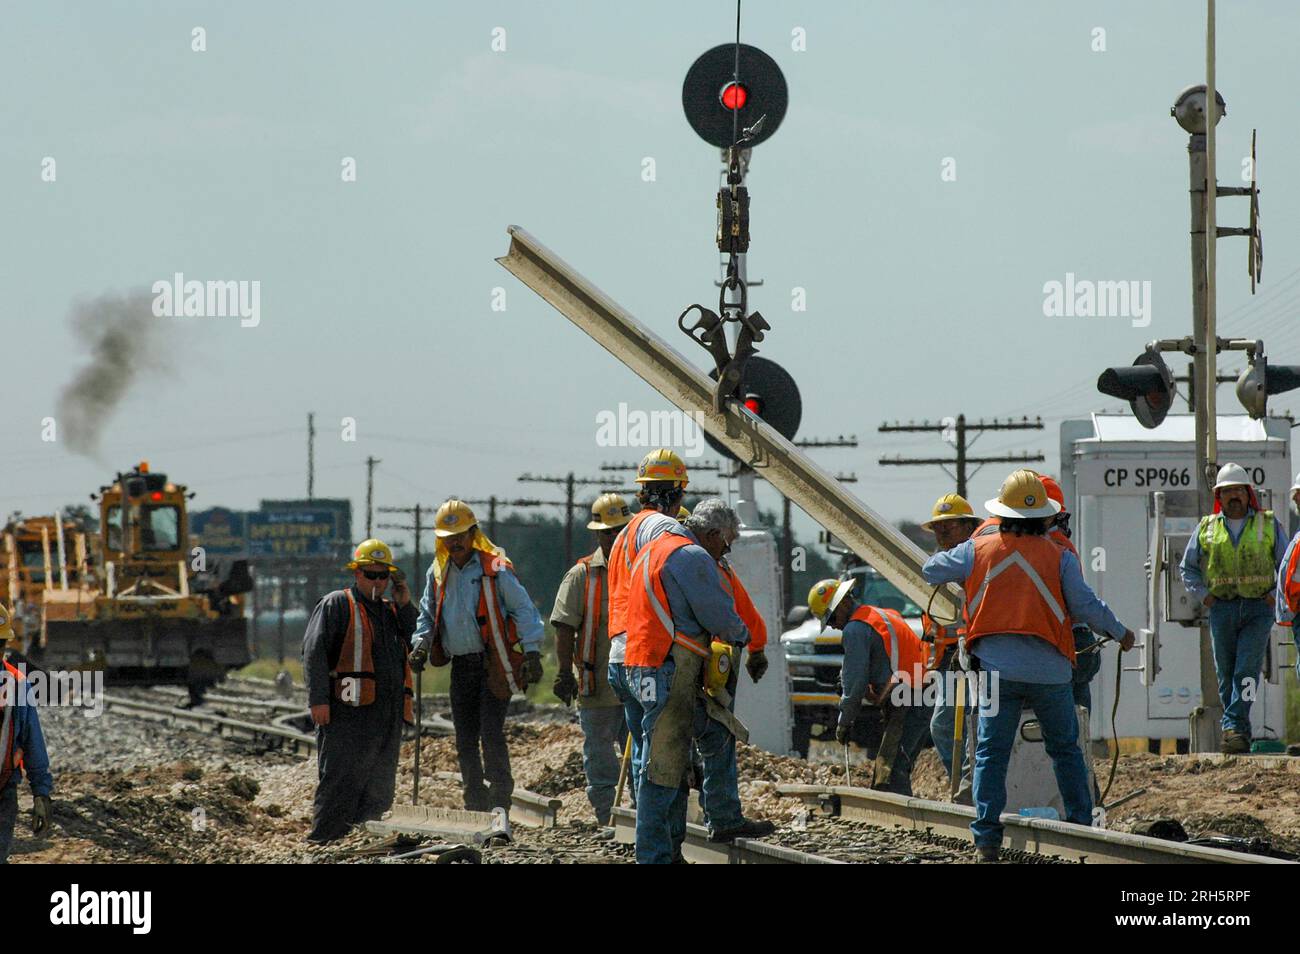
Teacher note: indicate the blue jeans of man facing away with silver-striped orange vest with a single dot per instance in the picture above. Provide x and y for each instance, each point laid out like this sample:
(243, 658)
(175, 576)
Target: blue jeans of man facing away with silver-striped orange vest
(1054, 705)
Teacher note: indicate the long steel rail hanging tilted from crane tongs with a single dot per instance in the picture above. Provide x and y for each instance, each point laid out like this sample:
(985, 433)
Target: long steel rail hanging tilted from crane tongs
(778, 461)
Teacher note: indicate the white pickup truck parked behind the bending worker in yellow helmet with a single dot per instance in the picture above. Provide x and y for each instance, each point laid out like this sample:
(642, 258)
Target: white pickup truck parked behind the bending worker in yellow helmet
(816, 661)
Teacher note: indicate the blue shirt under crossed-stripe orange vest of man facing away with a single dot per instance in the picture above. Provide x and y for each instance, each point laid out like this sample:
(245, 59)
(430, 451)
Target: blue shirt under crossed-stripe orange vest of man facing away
(1016, 656)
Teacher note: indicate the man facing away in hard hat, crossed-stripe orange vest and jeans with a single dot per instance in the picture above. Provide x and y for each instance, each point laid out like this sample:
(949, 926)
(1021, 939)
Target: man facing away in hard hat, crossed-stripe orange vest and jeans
(1021, 589)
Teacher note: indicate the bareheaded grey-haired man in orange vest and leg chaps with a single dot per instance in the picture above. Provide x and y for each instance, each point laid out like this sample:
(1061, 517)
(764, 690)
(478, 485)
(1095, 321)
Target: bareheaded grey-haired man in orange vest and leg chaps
(675, 608)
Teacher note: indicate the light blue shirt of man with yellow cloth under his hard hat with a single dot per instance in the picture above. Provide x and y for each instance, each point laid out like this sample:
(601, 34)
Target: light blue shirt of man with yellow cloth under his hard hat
(461, 632)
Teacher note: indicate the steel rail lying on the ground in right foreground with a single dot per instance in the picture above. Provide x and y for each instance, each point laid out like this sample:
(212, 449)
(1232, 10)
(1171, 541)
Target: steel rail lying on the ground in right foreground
(1030, 835)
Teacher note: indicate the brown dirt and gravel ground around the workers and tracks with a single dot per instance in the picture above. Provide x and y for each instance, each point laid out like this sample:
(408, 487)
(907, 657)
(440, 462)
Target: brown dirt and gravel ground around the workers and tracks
(196, 799)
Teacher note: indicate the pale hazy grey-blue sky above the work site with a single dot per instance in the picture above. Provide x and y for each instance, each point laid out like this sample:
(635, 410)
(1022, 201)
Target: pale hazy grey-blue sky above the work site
(925, 297)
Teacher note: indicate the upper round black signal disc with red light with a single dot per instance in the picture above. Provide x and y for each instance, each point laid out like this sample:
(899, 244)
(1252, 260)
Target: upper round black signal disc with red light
(718, 102)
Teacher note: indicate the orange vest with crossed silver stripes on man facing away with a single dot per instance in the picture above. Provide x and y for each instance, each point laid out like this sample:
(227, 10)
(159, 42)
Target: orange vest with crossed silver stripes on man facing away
(1016, 588)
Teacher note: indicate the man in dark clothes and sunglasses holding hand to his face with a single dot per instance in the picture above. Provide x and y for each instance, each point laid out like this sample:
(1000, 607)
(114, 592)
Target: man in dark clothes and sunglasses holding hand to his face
(359, 690)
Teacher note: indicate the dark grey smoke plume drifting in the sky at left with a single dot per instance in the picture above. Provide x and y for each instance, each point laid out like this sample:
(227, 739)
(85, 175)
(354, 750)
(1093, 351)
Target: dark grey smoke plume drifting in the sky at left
(122, 336)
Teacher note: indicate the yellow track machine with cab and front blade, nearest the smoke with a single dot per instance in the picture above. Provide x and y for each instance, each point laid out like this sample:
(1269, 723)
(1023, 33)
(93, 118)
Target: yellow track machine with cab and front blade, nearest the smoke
(161, 612)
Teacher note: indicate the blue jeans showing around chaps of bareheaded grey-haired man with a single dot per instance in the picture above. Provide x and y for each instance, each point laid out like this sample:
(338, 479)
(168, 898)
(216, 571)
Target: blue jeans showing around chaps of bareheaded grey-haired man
(661, 809)
